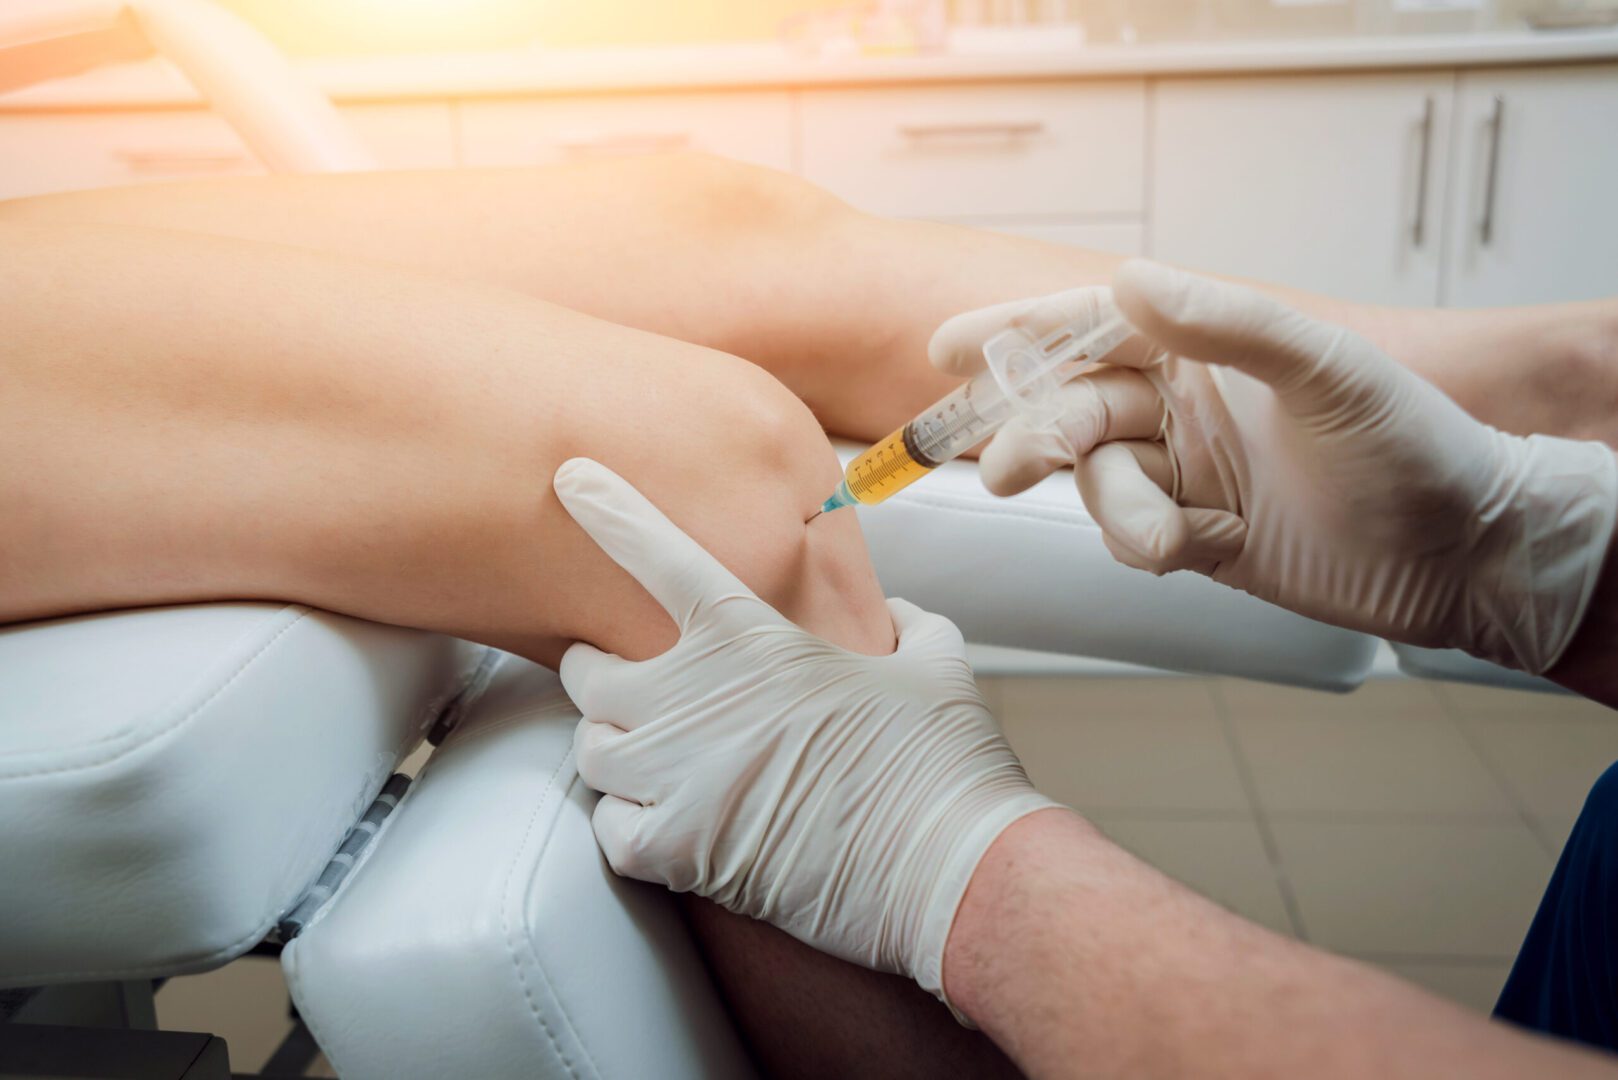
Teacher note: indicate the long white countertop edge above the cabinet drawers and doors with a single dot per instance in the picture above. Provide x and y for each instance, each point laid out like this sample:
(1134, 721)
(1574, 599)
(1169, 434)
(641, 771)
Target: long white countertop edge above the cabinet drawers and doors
(769, 66)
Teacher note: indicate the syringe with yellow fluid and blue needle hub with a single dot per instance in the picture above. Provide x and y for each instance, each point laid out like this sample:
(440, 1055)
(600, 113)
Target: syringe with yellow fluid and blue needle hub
(1023, 378)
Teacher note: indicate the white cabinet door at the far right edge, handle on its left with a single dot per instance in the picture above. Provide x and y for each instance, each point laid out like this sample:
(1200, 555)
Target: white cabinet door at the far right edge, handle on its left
(1535, 215)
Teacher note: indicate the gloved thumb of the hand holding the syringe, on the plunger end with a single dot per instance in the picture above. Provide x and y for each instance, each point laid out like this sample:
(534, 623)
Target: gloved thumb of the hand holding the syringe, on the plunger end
(1227, 325)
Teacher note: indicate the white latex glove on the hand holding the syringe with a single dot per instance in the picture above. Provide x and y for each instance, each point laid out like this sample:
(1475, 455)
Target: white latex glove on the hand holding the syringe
(1303, 466)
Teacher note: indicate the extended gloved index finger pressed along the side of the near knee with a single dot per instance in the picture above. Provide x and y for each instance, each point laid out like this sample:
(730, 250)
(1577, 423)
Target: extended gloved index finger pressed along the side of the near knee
(679, 572)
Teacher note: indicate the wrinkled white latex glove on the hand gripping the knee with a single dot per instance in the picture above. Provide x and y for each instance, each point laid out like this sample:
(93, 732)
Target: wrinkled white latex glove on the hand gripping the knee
(845, 799)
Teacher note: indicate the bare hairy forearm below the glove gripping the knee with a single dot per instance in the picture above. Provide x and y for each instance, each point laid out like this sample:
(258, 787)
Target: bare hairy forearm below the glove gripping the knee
(1085, 963)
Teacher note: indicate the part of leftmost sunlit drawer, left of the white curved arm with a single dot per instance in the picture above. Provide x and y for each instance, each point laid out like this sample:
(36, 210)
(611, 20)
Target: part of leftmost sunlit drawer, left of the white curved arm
(43, 153)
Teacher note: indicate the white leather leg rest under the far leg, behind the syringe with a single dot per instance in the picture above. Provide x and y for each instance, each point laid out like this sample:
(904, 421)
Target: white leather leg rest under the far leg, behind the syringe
(1033, 572)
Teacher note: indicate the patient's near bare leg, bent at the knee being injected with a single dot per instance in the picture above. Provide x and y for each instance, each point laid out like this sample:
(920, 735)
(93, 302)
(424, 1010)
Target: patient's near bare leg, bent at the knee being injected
(187, 419)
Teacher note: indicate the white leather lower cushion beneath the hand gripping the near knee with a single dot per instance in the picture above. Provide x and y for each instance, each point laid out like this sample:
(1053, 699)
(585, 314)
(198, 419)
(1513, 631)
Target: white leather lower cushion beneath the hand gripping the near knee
(481, 933)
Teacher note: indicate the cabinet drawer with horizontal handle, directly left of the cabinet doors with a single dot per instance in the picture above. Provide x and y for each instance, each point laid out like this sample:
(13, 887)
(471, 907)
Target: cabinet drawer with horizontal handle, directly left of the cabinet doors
(1041, 150)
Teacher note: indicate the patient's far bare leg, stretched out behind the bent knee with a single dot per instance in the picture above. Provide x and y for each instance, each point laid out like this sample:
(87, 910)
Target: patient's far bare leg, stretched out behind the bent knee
(766, 266)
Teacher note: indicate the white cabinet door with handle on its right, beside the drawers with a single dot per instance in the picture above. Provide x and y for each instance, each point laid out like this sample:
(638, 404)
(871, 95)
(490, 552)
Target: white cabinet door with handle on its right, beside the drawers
(1329, 184)
